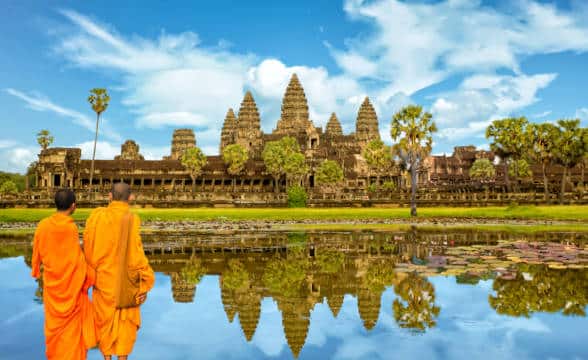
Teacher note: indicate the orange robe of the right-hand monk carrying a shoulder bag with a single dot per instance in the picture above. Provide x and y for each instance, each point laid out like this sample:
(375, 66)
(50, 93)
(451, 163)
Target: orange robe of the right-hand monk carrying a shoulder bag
(116, 328)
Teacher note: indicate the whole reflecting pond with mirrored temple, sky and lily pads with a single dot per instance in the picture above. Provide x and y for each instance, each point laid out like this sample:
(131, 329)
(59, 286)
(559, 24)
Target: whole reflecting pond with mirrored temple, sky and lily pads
(417, 293)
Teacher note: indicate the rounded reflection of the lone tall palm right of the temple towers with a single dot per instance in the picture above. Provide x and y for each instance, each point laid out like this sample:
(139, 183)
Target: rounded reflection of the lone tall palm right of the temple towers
(417, 308)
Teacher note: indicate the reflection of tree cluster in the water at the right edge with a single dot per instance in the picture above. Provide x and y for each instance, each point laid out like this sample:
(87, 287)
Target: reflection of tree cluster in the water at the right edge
(539, 288)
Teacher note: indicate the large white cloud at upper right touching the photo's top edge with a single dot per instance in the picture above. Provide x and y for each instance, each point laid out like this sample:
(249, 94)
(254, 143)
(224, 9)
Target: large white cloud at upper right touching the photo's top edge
(415, 45)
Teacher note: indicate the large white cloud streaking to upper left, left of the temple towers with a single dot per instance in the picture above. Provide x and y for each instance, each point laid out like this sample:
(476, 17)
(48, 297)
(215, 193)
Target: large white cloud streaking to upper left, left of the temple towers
(168, 81)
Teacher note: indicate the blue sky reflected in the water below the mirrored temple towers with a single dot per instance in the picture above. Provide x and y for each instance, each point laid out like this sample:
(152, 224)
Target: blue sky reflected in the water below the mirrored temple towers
(467, 327)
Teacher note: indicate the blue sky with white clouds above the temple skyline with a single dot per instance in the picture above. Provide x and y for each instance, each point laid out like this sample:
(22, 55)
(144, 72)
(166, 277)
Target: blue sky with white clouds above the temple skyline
(467, 62)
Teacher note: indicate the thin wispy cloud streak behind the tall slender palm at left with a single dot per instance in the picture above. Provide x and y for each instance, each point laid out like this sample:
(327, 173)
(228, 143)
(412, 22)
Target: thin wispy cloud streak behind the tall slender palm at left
(39, 102)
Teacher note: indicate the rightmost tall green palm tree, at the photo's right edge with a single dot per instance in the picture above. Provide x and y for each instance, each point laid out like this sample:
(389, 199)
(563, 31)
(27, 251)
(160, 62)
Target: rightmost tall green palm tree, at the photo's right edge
(570, 148)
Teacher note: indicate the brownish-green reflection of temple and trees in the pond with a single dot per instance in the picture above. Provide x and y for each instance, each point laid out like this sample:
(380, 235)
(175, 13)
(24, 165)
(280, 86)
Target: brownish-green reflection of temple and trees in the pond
(299, 270)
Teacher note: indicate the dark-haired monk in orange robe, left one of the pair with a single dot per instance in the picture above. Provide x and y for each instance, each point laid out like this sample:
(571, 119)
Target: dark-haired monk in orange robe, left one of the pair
(69, 326)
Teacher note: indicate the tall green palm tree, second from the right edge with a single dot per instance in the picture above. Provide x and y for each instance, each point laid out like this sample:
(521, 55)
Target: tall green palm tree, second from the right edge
(543, 138)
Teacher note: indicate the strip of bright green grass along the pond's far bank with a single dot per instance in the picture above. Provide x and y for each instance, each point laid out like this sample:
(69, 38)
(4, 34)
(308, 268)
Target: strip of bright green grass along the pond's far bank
(562, 213)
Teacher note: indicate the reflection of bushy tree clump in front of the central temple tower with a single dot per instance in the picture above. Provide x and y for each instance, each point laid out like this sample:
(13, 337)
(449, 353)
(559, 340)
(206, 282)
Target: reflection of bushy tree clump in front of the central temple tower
(286, 277)
